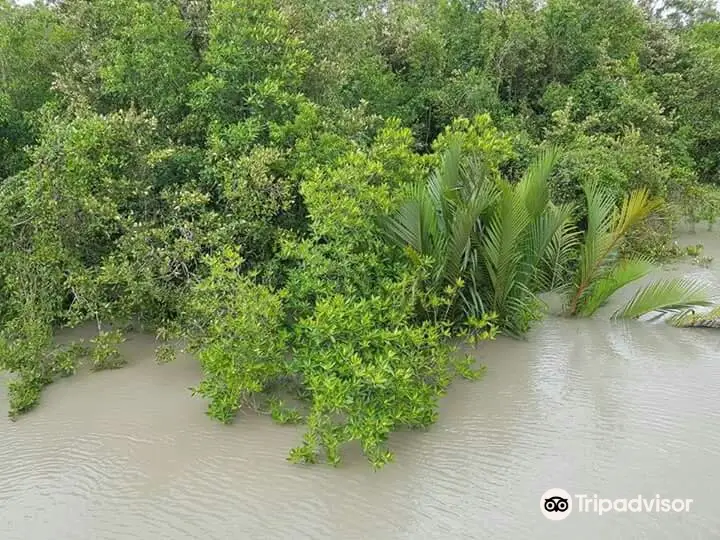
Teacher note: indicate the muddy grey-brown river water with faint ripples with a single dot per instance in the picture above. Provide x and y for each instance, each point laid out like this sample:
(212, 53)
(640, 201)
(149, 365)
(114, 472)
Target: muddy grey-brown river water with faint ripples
(592, 406)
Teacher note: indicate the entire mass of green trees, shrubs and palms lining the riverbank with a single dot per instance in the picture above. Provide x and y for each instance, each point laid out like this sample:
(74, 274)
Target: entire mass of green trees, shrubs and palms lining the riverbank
(319, 198)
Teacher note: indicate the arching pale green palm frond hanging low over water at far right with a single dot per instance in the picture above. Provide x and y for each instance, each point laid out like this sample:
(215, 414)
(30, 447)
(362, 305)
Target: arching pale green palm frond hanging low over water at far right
(665, 296)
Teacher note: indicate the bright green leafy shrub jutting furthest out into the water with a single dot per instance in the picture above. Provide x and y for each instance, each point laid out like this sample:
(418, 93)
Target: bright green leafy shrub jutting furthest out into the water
(370, 371)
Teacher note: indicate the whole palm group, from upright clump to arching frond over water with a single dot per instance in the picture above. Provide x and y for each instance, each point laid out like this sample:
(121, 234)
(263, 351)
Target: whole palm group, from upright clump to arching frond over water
(500, 244)
